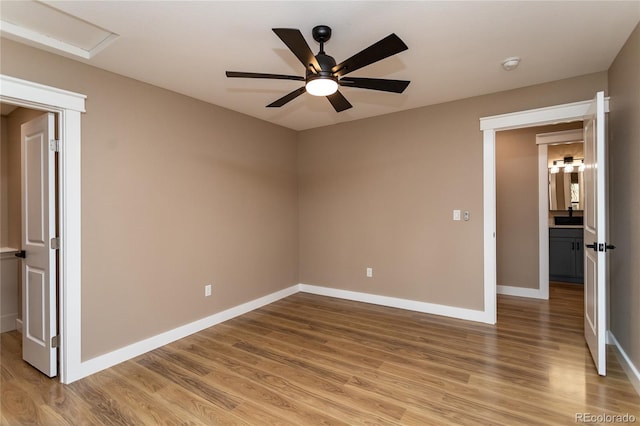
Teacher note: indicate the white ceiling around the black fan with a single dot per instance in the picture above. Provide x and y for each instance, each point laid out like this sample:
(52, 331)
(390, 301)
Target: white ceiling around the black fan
(455, 48)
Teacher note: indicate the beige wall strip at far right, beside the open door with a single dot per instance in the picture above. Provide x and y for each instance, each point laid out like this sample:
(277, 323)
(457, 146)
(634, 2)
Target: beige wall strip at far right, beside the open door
(624, 152)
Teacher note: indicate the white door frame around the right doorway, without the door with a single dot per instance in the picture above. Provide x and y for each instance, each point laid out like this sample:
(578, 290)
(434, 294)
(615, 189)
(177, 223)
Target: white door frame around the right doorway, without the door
(490, 125)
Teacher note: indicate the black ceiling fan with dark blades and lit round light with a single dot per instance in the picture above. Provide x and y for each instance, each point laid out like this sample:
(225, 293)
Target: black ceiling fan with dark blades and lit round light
(323, 75)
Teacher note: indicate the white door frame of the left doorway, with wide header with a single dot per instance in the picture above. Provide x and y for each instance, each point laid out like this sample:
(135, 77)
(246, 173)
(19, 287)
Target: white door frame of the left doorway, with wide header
(68, 106)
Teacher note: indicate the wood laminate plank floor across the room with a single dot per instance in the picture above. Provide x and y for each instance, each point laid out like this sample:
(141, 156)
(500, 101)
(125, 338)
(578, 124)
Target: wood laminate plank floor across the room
(309, 360)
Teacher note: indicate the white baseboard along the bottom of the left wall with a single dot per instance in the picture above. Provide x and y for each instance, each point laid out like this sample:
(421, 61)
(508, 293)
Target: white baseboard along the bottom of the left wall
(123, 354)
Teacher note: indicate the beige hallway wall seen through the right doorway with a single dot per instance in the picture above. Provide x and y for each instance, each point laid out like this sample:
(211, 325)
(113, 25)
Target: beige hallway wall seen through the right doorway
(517, 240)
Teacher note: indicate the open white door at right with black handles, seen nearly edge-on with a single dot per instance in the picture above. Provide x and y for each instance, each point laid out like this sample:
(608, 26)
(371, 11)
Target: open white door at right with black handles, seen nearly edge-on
(595, 233)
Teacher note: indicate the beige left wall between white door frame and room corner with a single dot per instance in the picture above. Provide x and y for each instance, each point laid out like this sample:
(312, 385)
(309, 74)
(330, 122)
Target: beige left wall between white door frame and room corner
(176, 193)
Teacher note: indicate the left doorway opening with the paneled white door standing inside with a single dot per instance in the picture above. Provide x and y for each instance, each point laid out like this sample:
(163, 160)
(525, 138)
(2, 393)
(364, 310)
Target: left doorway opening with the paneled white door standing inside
(29, 206)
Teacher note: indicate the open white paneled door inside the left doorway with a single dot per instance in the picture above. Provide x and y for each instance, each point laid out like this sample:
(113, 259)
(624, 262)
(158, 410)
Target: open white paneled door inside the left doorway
(38, 231)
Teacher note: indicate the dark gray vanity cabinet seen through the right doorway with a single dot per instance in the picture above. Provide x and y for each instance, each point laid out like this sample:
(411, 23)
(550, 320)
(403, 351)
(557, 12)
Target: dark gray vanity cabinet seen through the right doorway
(566, 255)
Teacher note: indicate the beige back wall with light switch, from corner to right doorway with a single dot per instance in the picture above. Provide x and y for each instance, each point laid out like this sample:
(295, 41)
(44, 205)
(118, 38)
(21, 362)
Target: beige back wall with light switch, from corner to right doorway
(380, 193)
